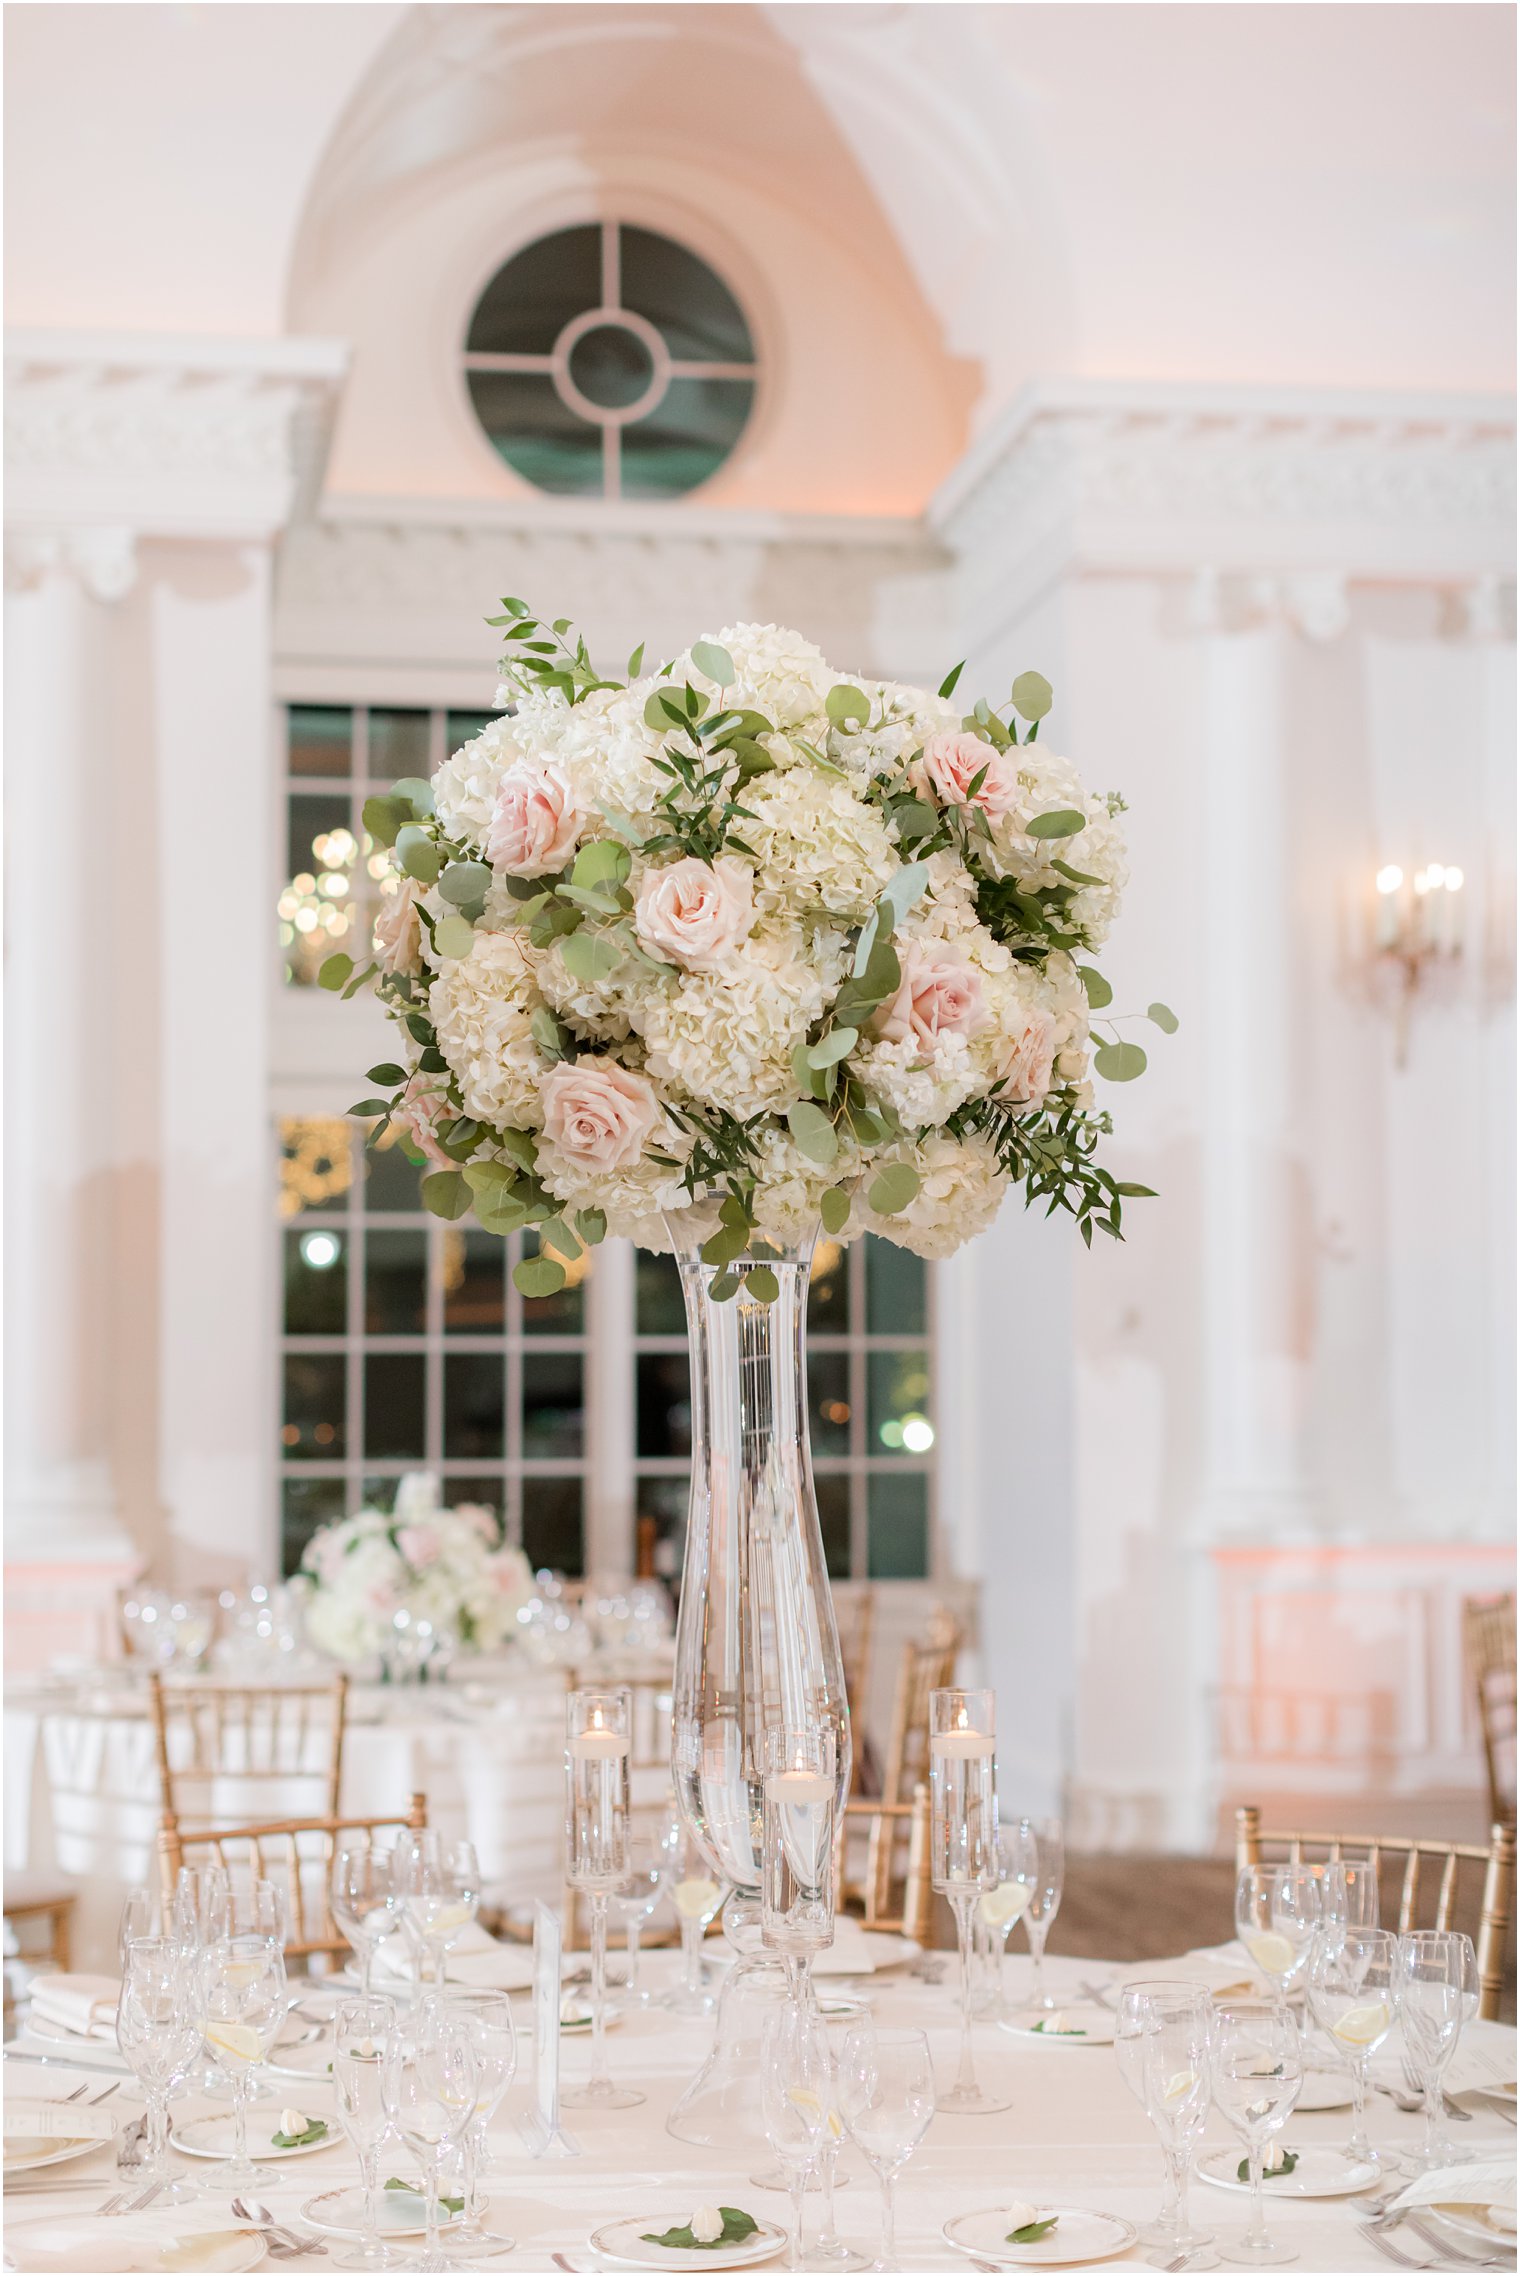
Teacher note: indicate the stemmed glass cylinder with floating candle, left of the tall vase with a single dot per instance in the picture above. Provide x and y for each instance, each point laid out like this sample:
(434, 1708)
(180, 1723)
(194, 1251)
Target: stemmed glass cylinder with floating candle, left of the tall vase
(597, 1740)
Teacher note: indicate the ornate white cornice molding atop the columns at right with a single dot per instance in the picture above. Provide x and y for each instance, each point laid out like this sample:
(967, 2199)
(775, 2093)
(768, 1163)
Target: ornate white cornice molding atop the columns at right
(1310, 490)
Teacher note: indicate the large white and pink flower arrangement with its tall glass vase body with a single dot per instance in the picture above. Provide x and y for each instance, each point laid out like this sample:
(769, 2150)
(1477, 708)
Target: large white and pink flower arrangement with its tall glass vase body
(718, 955)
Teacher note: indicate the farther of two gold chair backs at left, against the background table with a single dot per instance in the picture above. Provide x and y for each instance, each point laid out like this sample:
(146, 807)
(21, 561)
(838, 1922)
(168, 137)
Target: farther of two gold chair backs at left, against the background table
(251, 1735)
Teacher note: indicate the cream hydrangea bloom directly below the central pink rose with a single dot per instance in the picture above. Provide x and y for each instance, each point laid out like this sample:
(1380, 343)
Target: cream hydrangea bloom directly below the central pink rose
(727, 1037)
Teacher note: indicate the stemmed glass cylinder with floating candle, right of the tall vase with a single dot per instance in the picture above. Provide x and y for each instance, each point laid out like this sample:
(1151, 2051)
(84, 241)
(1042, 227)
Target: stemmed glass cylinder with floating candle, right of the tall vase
(964, 1845)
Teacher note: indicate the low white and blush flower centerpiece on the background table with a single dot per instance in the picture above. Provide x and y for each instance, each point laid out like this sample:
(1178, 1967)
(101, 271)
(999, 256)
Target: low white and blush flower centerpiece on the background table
(445, 1567)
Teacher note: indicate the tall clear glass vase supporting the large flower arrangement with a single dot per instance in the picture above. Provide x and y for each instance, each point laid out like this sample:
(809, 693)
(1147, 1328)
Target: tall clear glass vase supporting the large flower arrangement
(757, 1642)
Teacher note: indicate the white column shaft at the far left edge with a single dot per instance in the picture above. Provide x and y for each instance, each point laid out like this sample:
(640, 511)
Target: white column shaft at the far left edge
(63, 1528)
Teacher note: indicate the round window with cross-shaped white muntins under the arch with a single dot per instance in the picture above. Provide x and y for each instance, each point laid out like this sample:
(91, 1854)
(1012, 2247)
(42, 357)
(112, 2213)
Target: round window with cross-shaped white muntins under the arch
(611, 363)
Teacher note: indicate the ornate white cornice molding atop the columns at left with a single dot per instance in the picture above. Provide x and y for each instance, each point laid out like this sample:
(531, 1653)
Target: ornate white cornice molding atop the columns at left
(113, 438)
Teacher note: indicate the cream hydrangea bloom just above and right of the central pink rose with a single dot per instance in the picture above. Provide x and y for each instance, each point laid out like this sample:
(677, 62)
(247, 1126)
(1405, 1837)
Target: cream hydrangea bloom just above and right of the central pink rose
(818, 846)
